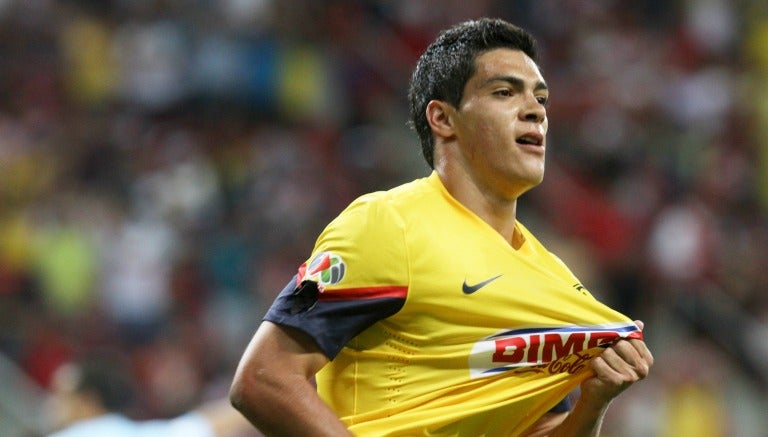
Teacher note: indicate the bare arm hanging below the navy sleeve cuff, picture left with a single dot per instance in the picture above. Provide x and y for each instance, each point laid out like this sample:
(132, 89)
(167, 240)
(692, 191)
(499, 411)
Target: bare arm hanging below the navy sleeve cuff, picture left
(272, 386)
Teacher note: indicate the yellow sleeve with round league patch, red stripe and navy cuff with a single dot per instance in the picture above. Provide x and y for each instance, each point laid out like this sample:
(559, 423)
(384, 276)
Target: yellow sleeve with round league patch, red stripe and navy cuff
(356, 276)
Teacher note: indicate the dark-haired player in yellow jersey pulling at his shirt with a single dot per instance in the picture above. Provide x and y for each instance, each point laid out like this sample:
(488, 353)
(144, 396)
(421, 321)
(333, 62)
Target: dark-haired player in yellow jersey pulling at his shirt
(429, 309)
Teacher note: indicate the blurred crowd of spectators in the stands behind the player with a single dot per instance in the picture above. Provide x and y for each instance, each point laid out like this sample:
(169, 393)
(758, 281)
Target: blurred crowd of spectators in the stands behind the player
(165, 166)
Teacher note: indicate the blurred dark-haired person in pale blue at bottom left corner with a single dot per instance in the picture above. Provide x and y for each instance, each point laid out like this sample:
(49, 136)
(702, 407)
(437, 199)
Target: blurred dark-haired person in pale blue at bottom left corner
(89, 399)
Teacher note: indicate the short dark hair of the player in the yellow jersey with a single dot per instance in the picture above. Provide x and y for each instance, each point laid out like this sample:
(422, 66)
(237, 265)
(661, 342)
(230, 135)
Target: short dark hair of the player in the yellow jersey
(447, 64)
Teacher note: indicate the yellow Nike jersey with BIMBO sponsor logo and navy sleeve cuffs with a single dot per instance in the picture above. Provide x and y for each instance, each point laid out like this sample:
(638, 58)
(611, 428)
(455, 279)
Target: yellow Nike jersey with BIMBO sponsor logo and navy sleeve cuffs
(436, 325)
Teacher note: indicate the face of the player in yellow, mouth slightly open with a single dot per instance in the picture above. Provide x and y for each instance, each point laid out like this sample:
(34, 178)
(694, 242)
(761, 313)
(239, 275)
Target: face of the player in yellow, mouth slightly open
(501, 124)
